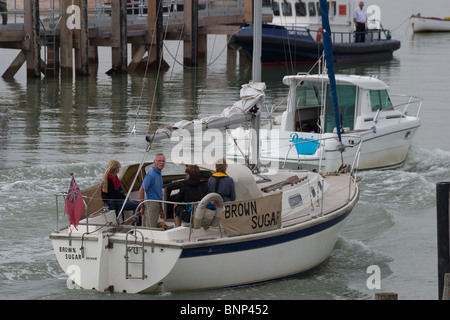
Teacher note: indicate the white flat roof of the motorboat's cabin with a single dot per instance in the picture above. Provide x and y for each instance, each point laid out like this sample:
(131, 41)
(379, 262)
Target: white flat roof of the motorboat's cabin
(363, 82)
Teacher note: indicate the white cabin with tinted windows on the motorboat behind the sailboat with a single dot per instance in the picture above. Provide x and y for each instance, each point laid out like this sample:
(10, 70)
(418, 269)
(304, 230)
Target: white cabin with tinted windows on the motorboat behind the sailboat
(360, 99)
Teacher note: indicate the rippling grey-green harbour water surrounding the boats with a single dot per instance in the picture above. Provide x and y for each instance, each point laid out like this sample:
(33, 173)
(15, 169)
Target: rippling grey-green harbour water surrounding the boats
(49, 128)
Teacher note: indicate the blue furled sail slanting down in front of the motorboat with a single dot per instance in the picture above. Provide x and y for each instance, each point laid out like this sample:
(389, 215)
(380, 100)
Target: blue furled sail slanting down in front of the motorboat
(328, 48)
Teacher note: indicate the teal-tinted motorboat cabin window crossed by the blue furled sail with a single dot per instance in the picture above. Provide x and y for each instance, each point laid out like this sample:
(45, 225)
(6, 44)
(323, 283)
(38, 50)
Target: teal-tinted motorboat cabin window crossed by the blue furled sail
(346, 102)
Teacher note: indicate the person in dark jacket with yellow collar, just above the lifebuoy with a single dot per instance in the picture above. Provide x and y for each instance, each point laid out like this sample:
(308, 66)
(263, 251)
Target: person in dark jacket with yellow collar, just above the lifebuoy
(221, 183)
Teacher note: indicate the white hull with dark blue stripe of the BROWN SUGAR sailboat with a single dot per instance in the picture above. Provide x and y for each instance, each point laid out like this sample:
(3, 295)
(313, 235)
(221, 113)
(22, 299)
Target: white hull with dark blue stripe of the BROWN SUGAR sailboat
(219, 263)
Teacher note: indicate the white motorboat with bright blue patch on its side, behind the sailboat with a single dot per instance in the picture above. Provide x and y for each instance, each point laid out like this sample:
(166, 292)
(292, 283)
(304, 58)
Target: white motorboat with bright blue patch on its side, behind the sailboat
(305, 135)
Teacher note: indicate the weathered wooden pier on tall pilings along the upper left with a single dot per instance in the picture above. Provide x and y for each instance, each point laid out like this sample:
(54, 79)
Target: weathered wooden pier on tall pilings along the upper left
(55, 34)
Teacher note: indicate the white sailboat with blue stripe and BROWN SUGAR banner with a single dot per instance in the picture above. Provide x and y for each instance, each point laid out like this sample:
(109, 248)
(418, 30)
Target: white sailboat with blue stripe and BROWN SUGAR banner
(282, 223)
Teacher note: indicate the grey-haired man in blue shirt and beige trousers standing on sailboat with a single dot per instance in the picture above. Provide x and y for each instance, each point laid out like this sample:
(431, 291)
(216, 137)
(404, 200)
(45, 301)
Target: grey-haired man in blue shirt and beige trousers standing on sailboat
(151, 188)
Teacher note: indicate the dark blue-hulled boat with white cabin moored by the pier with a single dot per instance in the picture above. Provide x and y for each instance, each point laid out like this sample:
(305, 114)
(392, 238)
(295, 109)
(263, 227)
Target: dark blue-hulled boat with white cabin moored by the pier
(295, 34)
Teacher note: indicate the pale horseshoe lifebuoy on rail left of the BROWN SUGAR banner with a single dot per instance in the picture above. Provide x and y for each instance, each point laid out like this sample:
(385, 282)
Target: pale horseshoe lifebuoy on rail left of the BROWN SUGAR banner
(206, 215)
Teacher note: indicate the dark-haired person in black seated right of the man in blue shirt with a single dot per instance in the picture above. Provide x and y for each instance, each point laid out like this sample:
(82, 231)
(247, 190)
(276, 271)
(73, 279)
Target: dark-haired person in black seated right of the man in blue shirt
(193, 189)
